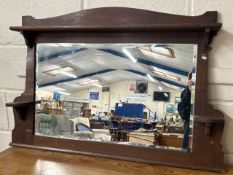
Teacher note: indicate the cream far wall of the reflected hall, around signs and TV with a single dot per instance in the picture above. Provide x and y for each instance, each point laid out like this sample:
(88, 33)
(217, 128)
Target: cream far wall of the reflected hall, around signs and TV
(119, 92)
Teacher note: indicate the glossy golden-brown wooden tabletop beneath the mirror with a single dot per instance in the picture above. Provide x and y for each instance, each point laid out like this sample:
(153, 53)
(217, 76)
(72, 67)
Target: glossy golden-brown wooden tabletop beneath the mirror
(22, 161)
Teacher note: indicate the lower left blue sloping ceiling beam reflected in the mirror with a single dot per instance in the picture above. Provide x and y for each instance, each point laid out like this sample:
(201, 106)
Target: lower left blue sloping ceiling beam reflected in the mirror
(78, 77)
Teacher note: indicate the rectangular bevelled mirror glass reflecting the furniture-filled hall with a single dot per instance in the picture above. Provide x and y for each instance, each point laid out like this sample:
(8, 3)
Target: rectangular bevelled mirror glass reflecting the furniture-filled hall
(134, 94)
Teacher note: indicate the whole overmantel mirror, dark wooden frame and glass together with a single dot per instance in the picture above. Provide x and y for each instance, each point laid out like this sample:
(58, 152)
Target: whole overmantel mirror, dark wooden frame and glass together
(120, 83)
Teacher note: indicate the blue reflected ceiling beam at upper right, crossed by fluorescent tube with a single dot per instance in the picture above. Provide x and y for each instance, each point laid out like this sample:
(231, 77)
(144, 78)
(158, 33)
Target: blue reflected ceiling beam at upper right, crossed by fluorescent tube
(147, 62)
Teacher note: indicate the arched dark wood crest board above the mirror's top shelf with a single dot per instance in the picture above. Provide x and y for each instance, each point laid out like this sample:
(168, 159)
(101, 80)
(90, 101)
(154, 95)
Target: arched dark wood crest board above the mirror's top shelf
(125, 18)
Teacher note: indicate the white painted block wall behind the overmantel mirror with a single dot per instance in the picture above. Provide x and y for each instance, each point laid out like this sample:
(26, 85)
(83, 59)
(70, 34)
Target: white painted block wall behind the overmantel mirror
(13, 50)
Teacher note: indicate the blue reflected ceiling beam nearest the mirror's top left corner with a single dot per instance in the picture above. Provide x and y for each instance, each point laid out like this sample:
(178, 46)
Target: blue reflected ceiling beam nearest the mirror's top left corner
(62, 53)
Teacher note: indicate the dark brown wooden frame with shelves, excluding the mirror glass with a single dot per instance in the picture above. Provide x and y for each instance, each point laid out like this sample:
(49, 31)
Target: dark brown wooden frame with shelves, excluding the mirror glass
(125, 25)
